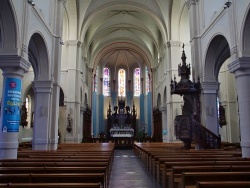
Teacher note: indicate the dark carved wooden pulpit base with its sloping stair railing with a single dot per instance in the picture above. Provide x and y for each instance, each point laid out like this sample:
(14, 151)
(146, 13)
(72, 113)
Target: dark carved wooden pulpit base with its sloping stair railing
(188, 130)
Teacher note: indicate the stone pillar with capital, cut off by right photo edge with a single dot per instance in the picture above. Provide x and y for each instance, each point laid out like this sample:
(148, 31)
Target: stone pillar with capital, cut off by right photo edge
(241, 68)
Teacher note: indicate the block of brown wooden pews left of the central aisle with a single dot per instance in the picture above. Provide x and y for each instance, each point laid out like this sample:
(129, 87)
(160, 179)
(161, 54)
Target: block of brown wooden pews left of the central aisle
(72, 165)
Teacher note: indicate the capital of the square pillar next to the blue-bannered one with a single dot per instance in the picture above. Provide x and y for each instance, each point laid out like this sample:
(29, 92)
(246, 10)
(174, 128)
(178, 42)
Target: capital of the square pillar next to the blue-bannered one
(42, 86)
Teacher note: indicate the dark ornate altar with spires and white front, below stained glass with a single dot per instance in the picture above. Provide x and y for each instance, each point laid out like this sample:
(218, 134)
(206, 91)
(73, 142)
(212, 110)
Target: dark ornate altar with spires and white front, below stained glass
(122, 122)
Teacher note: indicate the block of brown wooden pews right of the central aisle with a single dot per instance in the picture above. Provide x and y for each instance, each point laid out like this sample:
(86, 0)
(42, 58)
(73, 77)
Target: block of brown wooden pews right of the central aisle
(173, 167)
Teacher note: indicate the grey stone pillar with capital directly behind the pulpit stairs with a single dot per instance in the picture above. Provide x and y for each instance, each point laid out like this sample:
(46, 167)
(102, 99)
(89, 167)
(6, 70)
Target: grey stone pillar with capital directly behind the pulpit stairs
(210, 110)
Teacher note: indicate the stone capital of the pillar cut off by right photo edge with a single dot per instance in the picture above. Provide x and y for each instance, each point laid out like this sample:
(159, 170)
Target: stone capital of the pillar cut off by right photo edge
(240, 66)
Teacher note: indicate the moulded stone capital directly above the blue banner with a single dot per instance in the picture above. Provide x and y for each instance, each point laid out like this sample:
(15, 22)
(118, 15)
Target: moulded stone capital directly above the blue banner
(14, 64)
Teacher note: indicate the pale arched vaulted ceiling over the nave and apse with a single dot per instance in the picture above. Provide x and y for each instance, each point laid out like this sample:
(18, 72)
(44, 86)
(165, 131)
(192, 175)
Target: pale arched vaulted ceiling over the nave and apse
(122, 32)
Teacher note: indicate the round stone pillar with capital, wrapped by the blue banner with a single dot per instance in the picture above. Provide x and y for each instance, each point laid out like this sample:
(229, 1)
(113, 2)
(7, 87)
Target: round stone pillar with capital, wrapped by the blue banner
(13, 68)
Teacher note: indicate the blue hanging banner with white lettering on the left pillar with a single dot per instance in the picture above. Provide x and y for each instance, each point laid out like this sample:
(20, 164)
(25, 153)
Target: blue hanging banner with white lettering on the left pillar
(11, 105)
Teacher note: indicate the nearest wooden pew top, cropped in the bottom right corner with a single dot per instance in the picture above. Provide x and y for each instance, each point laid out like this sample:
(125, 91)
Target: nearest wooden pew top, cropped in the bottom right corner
(223, 184)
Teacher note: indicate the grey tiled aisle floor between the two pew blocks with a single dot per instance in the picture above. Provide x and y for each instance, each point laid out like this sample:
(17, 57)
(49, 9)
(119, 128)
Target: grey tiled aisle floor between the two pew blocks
(128, 172)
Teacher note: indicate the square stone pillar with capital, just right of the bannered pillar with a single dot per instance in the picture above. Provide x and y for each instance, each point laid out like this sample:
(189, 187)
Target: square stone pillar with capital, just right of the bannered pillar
(41, 130)
